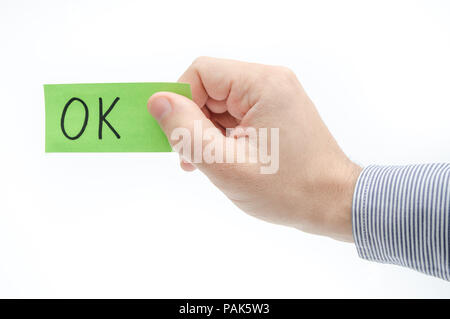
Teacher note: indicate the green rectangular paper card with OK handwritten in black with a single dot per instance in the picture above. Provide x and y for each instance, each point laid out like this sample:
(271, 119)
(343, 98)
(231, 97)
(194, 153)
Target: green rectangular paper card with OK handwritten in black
(104, 117)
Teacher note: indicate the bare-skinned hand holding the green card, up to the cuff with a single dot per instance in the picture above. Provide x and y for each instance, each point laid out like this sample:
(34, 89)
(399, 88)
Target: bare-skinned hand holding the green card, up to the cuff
(313, 188)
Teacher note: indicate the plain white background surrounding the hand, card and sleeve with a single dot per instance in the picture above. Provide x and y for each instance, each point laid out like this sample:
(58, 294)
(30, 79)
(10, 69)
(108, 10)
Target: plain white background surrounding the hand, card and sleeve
(136, 225)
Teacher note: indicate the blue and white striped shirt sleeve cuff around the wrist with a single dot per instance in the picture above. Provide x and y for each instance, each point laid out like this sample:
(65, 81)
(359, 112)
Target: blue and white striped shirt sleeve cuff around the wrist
(401, 214)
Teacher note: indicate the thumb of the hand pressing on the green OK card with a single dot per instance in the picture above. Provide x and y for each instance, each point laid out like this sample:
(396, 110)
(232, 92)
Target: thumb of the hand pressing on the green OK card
(184, 124)
